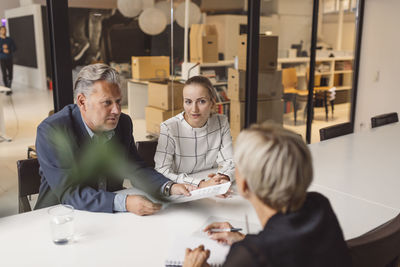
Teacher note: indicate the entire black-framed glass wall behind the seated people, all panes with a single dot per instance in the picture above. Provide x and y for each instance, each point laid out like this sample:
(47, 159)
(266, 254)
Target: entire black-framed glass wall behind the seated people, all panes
(155, 54)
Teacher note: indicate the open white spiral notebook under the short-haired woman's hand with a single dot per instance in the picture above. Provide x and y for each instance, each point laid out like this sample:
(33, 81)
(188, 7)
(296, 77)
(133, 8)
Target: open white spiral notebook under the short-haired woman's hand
(176, 253)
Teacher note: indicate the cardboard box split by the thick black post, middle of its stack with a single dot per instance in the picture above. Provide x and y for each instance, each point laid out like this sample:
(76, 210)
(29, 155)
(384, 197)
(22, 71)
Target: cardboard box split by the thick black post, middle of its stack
(269, 85)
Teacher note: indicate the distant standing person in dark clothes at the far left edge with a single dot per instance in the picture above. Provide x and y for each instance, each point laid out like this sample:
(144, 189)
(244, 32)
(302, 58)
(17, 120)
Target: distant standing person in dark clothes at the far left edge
(7, 48)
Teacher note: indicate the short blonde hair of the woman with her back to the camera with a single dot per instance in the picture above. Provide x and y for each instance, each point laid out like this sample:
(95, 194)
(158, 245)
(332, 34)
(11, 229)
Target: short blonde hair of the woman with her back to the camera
(276, 163)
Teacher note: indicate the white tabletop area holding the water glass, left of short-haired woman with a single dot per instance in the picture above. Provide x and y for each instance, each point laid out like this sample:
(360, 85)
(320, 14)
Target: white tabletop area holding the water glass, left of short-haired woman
(120, 239)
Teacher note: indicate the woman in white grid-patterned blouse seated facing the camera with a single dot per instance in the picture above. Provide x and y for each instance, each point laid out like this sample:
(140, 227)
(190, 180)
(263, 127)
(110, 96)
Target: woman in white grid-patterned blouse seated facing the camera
(197, 139)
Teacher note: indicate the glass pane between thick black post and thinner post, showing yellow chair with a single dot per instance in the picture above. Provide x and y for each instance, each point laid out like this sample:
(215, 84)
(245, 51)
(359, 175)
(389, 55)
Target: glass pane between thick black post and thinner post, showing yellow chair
(287, 24)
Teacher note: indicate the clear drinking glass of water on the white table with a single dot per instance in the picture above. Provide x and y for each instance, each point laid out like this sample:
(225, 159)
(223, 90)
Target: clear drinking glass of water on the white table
(62, 223)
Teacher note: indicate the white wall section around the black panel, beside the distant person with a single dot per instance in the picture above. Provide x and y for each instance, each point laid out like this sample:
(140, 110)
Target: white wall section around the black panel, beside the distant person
(34, 77)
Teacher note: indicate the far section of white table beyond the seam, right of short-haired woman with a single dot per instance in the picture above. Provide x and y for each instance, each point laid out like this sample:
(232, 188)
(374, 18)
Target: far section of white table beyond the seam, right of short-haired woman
(364, 165)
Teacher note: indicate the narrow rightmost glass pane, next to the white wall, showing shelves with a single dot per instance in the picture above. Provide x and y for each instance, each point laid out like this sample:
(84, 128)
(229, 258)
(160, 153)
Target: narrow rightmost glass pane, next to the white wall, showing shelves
(334, 67)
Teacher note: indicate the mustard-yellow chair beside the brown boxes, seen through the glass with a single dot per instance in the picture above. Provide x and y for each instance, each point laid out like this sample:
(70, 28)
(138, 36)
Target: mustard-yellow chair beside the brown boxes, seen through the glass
(290, 91)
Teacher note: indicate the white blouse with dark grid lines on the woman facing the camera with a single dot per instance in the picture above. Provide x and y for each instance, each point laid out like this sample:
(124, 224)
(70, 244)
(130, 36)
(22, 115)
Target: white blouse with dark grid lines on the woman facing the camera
(183, 150)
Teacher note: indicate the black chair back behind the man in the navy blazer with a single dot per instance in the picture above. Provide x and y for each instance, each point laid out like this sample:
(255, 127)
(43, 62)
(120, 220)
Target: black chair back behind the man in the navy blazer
(28, 182)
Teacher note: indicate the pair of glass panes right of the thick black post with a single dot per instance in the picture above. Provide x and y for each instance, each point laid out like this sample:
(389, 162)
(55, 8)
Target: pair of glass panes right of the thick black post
(287, 24)
